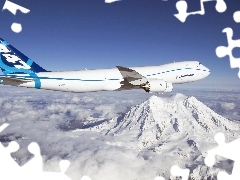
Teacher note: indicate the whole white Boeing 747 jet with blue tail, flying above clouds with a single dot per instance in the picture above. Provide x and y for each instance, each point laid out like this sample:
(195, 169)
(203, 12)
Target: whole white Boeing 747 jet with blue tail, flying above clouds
(21, 71)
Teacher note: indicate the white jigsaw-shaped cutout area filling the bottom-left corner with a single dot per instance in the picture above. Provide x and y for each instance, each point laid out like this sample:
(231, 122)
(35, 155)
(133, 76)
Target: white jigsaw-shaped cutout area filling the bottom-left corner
(33, 169)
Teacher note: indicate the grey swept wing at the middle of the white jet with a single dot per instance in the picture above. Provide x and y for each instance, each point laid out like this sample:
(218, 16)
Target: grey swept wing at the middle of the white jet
(131, 78)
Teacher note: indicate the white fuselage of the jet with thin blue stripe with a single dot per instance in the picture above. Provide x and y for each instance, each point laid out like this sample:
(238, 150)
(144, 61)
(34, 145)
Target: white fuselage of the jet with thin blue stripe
(109, 79)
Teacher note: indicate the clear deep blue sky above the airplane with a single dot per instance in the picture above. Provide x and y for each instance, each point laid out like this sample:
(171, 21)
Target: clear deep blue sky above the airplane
(78, 34)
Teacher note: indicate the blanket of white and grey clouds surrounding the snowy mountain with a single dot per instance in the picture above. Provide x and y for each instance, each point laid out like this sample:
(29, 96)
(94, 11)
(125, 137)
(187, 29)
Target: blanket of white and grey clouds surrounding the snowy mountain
(52, 118)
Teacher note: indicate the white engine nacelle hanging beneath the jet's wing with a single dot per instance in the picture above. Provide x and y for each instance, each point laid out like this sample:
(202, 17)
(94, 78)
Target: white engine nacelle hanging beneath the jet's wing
(157, 86)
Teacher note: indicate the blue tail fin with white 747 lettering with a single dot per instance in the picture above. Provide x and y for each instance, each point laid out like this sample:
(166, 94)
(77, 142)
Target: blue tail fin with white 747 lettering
(13, 61)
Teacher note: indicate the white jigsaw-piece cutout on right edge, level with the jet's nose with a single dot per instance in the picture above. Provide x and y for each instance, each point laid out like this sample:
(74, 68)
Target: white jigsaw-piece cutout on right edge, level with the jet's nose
(222, 51)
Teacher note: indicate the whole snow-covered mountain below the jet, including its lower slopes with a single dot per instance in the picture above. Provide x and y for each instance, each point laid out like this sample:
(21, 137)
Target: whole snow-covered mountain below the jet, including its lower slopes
(179, 129)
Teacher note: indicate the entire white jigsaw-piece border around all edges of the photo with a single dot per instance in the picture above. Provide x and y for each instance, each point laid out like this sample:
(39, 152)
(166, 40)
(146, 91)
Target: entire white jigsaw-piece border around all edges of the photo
(33, 168)
